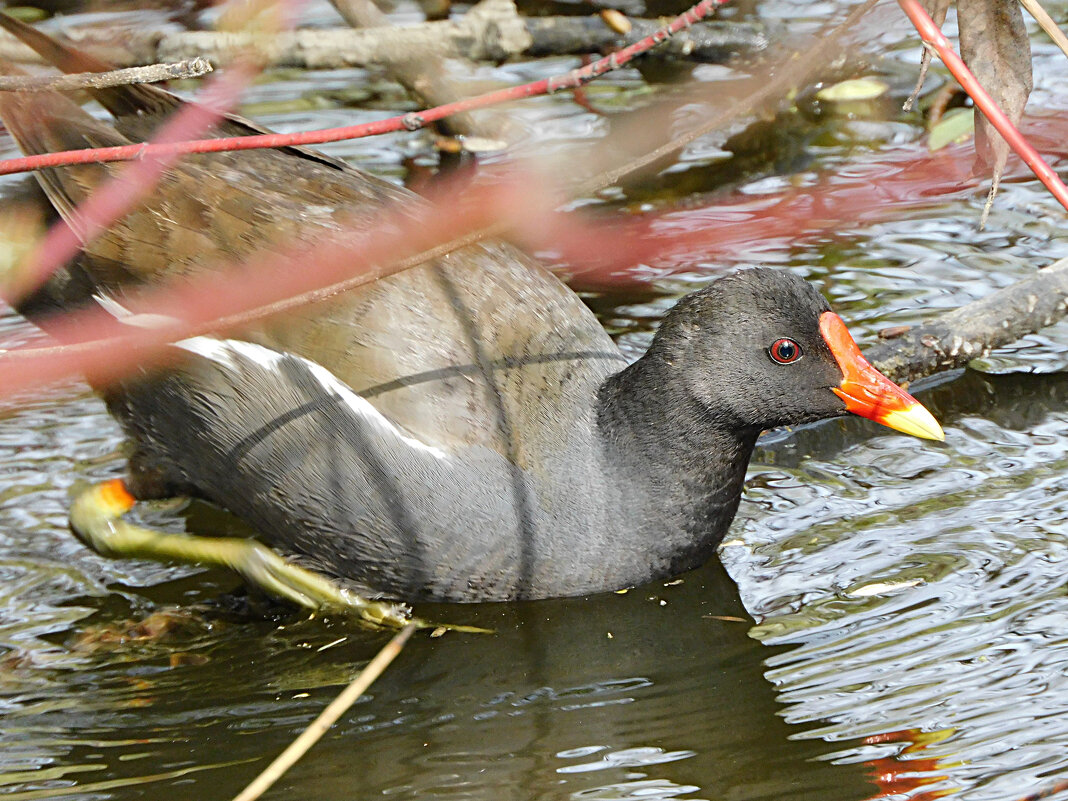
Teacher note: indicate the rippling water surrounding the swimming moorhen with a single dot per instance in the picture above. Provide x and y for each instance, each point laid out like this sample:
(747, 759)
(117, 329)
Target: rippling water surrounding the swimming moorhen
(909, 599)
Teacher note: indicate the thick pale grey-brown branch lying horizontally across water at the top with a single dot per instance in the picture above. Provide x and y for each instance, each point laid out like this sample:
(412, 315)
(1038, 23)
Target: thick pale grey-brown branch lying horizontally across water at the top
(491, 37)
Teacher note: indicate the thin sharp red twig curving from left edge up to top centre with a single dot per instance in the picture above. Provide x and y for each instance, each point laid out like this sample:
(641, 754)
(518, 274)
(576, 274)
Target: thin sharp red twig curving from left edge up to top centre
(413, 121)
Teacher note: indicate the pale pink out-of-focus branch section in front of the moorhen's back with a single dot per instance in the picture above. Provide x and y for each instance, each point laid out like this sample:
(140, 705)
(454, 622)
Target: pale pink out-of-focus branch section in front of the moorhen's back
(95, 345)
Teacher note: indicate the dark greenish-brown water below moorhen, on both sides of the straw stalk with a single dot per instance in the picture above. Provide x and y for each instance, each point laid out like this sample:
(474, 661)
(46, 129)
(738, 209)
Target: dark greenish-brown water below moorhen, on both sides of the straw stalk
(648, 695)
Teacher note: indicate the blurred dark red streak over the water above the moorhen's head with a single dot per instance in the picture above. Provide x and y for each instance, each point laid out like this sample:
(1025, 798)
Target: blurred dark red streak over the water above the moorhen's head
(740, 228)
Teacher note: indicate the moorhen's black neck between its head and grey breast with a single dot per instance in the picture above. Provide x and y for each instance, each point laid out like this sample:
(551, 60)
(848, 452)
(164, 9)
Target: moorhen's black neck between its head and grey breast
(681, 468)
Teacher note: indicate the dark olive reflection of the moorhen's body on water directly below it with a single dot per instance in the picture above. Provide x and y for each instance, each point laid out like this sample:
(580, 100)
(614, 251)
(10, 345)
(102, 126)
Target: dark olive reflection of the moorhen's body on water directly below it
(648, 695)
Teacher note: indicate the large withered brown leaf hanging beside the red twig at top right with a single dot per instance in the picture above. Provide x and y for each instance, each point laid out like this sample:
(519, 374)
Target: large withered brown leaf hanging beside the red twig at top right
(995, 45)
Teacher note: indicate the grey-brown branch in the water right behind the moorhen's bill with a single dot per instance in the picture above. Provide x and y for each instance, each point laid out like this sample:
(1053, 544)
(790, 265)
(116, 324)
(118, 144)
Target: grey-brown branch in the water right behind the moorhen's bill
(953, 339)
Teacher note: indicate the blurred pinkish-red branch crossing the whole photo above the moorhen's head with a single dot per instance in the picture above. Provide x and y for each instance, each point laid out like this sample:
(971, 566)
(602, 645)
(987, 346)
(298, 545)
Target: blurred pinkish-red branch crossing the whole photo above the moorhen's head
(598, 255)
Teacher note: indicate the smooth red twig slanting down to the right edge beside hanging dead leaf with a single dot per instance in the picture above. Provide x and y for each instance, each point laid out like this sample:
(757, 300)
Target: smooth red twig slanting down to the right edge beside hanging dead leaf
(931, 34)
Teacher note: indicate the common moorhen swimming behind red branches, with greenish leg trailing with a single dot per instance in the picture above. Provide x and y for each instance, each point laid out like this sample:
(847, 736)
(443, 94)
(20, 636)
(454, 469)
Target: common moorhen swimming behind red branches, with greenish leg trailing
(465, 431)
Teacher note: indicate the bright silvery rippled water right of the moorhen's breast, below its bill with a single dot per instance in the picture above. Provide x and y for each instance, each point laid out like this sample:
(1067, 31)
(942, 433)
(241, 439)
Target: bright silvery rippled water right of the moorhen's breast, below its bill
(966, 633)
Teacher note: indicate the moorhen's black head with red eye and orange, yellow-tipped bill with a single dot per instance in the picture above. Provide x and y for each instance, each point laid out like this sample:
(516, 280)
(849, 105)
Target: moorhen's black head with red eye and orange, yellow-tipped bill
(762, 349)
